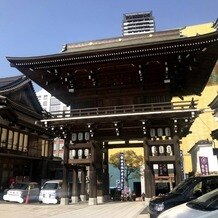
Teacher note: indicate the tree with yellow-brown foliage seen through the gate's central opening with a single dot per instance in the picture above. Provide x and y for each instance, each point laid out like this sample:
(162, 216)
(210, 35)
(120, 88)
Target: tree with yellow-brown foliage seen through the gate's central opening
(132, 164)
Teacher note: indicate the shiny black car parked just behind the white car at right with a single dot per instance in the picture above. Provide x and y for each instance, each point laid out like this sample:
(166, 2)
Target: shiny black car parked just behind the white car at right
(187, 190)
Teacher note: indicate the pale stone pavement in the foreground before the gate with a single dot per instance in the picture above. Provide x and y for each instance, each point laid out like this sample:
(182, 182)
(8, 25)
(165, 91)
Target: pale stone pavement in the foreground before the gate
(130, 209)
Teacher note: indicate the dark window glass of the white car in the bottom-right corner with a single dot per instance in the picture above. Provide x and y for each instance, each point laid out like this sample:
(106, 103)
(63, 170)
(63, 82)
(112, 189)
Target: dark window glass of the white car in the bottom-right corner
(206, 202)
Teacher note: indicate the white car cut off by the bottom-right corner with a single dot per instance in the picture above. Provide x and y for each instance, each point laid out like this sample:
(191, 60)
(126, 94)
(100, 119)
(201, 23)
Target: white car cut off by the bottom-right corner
(204, 206)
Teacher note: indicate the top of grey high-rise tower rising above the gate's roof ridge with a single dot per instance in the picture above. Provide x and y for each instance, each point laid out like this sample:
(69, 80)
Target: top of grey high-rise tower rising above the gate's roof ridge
(138, 23)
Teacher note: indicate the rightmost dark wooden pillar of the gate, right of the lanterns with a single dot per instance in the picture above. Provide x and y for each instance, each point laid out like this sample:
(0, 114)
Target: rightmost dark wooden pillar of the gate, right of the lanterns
(177, 166)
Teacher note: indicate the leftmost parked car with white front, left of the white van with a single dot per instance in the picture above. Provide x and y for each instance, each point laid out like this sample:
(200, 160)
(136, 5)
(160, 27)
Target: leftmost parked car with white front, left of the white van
(21, 190)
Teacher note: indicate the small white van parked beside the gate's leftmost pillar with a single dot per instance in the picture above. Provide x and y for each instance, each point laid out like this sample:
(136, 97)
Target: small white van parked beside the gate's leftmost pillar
(51, 192)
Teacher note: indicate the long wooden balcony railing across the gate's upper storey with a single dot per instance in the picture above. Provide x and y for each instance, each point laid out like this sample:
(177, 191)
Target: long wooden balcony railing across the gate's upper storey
(124, 109)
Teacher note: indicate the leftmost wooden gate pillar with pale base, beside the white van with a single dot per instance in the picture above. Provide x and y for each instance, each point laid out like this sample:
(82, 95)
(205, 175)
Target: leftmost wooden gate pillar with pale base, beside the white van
(64, 196)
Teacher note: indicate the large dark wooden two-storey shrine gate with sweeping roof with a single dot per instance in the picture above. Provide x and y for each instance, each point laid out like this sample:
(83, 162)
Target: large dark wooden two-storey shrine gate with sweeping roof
(122, 89)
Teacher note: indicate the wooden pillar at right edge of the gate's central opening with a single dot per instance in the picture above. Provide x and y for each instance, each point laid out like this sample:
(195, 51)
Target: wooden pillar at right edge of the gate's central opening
(148, 173)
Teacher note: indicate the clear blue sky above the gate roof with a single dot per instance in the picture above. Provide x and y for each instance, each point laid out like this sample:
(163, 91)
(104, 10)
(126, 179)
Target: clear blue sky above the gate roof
(40, 27)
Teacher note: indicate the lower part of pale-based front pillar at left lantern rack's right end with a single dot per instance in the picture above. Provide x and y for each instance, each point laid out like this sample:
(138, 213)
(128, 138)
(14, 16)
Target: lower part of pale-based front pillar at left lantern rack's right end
(92, 186)
